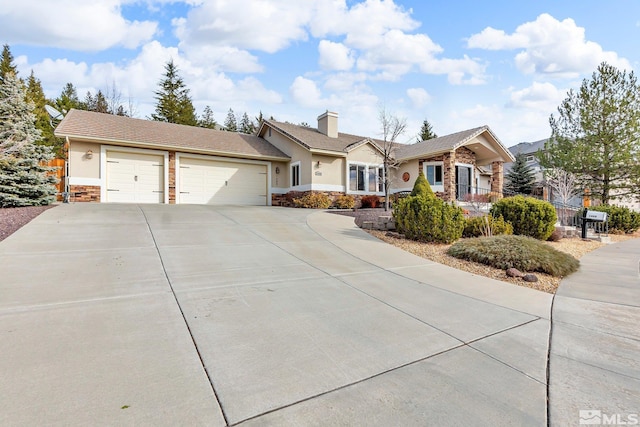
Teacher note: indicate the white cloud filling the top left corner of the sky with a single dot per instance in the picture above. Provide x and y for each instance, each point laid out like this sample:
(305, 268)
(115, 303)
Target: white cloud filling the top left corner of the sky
(72, 24)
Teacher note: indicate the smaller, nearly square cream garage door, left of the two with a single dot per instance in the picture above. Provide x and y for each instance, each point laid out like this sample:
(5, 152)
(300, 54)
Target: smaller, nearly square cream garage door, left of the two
(135, 177)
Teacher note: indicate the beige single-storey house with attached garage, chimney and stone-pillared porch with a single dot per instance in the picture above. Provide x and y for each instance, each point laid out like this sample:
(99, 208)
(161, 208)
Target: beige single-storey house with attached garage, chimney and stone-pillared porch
(120, 159)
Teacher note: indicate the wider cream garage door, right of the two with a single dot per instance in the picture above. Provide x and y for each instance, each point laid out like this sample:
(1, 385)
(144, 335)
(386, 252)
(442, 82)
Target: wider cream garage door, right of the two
(217, 182)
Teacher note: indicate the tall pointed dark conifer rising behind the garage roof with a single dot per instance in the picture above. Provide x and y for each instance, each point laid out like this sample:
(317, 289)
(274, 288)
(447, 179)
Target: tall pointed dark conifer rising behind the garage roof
(173, 102)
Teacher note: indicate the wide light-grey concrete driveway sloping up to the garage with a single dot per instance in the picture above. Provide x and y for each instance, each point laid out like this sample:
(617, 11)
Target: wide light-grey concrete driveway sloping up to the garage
(199, 315)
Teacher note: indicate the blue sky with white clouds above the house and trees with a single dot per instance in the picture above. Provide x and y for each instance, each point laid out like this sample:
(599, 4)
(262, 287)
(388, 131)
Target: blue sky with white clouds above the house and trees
(460, 64)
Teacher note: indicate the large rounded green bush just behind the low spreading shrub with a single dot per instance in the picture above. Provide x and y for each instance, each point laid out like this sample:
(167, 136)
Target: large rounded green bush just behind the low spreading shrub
(528, 216)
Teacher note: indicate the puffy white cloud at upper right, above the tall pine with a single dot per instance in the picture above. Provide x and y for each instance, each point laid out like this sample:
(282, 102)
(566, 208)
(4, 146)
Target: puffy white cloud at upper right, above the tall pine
(550, 47)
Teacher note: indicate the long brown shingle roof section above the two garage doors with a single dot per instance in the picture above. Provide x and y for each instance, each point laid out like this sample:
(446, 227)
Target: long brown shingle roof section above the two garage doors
(113, 129)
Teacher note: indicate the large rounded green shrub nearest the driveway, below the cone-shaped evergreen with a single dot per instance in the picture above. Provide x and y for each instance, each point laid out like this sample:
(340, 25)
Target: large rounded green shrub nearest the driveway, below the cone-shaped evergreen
(428, 219)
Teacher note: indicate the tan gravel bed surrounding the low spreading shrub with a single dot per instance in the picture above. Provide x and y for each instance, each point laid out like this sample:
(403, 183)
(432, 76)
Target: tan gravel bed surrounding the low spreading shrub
(546, 283)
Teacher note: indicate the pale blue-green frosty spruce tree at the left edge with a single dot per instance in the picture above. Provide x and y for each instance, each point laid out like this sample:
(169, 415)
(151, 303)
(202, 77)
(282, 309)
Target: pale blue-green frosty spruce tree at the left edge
(24, 180)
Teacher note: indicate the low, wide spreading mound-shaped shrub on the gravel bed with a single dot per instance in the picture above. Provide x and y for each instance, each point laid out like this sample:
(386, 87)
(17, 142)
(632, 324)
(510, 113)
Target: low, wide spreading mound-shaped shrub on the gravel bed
(523, 253)
